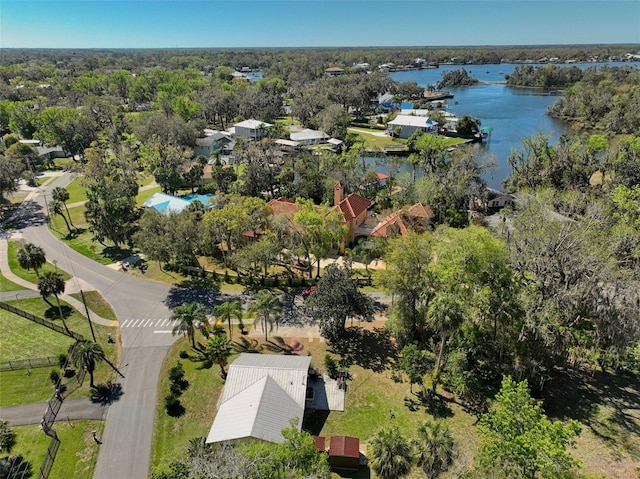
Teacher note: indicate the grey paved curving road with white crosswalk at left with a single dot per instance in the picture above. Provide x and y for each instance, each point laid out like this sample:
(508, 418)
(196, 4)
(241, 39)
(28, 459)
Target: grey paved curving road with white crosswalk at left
(126, 448)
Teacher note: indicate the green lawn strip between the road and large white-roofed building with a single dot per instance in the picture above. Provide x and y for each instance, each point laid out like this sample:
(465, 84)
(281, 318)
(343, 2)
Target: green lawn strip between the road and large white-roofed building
(172, 434)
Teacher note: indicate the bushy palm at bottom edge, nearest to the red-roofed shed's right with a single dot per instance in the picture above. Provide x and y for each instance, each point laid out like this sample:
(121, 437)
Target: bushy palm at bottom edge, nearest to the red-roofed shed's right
(390, 454)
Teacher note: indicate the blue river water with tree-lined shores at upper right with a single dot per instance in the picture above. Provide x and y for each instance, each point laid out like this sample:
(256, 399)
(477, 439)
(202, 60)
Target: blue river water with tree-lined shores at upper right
(513, 113)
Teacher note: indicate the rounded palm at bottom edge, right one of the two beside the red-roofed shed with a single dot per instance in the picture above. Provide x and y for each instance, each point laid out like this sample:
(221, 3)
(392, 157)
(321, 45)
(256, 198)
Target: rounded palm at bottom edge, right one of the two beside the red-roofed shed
(435, 447)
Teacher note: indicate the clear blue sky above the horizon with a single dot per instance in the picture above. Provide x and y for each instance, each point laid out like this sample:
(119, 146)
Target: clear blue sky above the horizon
(314, 23)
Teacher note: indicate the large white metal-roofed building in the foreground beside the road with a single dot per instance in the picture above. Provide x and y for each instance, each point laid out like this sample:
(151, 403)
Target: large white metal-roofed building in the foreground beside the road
(261, 395)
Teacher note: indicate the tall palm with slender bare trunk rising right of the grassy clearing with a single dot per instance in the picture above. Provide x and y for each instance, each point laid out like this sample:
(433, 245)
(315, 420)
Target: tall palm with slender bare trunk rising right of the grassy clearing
(445, 315)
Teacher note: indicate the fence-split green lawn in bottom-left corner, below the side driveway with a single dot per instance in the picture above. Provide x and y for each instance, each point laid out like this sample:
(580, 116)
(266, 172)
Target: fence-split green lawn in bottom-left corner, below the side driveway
(77, 454)
